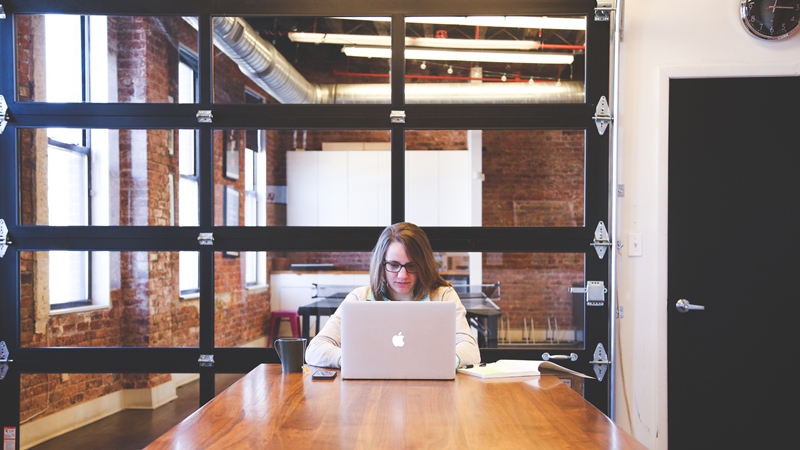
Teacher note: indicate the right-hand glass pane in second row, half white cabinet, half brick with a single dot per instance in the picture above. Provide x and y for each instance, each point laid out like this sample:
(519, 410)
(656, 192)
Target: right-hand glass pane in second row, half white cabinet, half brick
(520, 178)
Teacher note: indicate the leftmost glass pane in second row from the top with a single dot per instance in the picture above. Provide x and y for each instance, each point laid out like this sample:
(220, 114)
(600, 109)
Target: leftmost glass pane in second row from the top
(129, 179)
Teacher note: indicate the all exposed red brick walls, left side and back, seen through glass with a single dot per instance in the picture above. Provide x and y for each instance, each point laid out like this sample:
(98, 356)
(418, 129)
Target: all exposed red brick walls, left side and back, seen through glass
(532, 178)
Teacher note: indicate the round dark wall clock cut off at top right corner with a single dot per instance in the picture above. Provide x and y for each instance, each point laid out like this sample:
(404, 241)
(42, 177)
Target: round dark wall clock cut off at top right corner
(770, 19)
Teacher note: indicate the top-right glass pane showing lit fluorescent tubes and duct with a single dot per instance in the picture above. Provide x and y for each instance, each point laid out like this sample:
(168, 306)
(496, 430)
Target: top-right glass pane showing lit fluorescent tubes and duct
(493, 59)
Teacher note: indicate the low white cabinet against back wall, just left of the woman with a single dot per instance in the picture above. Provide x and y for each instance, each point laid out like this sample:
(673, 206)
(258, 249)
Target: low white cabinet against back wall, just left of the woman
(292, 290)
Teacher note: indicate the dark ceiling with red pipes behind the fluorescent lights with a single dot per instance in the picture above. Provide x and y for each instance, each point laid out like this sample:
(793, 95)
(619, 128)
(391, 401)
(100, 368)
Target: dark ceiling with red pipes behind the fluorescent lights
(327, 63)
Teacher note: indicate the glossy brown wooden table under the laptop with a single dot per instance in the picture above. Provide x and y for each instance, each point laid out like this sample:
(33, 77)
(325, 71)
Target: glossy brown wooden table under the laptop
(270, 409)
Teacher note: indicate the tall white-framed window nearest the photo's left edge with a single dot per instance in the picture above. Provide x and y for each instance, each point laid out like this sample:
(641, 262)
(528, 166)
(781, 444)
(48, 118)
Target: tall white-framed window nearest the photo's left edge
(84, 277)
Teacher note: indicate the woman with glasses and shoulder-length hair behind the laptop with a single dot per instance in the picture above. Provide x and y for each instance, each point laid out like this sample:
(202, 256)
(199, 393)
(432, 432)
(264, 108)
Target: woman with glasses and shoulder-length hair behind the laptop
(402, 268)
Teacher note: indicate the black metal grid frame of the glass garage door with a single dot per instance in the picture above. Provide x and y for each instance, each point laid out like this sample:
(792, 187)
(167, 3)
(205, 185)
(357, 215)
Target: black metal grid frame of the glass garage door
(267, 116)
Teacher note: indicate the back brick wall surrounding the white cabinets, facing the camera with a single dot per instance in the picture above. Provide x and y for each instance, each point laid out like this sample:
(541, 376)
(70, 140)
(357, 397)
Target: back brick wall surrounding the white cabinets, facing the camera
(532, 178)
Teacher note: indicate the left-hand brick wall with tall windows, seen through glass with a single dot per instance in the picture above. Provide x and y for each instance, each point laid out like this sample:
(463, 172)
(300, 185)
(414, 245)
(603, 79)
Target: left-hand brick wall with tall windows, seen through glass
(146, 309)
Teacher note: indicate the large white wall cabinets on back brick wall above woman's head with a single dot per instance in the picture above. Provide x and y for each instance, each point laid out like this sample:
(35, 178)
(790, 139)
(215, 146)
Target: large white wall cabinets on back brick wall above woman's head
(352, 188)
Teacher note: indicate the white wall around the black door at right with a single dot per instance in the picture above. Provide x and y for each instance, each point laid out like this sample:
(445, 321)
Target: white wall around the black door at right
(664, 39)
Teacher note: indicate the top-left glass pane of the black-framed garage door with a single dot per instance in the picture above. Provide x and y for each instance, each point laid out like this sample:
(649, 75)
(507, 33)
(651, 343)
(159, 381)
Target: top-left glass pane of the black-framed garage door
(129, 59)
